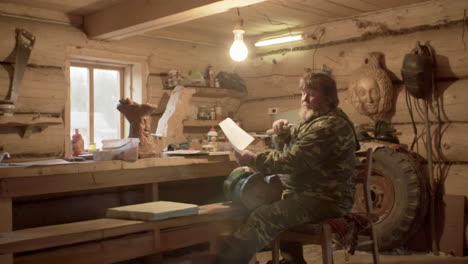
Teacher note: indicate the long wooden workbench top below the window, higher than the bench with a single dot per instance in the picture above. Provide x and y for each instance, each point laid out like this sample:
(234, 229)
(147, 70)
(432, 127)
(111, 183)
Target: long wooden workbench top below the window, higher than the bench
(25, 181)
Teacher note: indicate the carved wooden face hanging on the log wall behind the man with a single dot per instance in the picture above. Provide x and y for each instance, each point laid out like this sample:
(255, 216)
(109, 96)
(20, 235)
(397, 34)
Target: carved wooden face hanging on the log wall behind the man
(372, 90)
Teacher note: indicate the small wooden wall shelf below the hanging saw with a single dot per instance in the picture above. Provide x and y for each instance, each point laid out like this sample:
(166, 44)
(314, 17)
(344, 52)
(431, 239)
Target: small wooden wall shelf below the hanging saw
(28, 123)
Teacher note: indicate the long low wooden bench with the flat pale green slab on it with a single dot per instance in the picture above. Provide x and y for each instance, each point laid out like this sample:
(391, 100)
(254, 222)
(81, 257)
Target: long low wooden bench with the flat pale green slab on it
(110, 240)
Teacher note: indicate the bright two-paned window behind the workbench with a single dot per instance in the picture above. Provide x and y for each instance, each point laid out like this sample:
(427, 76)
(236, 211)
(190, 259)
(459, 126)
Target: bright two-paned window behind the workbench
(95, 91)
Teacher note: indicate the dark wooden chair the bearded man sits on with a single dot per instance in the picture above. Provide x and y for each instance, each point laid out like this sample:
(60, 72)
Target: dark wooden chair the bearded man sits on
(321, 233)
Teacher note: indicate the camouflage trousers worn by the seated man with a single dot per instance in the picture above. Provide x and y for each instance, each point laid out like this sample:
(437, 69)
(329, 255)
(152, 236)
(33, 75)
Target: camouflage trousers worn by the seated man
(268, 221)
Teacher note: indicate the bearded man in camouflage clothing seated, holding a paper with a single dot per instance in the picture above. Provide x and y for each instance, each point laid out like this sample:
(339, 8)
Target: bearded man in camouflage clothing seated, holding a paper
(315, 168)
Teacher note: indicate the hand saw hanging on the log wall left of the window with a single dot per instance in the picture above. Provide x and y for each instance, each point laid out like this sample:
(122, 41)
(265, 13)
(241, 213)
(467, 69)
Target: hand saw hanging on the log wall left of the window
(24, 45)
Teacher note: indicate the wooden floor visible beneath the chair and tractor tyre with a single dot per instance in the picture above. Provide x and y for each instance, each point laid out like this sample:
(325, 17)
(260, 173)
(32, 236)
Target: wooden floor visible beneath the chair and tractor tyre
(313, 256)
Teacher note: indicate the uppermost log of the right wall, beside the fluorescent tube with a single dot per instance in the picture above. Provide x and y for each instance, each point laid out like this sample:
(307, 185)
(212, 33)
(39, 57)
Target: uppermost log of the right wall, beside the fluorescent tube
(391, 22)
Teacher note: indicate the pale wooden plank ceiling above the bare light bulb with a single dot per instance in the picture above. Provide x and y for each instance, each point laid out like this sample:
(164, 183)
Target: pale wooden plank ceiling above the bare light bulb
(215, 27)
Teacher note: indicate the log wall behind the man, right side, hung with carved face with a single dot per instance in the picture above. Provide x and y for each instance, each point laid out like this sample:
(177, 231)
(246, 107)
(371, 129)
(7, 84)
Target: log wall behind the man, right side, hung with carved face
(272, 76)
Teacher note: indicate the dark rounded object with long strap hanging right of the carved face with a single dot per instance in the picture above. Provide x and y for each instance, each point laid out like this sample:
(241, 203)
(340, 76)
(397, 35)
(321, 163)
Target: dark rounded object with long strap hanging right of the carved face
(418, 75)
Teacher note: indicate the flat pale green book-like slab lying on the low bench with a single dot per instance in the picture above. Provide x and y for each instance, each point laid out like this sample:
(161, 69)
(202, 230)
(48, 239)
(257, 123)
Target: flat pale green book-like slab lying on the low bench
(152, 211)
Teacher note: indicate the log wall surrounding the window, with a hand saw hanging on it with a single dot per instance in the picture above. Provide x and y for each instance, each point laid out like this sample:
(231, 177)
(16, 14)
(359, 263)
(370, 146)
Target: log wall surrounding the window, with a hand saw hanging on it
(45, 87)
